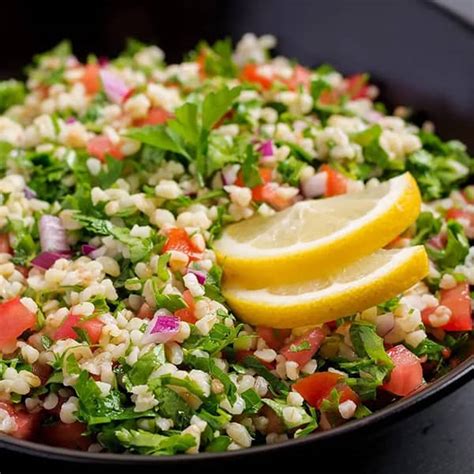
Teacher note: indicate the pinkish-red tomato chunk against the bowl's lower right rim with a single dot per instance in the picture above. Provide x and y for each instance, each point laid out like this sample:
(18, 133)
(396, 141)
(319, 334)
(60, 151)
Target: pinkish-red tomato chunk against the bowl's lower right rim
(407, 375)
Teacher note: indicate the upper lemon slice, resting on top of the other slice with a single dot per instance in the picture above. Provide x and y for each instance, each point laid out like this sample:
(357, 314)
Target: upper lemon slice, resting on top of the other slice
(317, 236)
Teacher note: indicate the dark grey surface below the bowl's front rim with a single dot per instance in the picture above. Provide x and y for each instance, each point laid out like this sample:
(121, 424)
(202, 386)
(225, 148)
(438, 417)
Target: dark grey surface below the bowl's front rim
(438, 440)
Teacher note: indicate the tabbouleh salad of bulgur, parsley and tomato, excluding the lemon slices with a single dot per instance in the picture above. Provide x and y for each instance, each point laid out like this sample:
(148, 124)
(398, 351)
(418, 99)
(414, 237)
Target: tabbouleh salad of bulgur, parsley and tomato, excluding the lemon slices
(118, 178)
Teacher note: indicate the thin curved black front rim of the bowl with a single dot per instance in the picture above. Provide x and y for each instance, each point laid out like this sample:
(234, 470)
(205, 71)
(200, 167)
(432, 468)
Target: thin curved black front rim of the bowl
(448, 383)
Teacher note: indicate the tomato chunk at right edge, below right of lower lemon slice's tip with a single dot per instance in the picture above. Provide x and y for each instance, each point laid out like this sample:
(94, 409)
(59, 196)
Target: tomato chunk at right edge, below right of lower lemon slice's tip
(458, 300)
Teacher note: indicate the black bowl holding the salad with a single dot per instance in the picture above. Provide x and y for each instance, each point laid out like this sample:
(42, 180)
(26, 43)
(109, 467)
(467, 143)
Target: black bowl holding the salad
(419, 54)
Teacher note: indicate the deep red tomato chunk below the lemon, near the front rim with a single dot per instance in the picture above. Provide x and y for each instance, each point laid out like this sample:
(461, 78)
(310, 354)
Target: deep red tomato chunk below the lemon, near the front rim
(317, 387)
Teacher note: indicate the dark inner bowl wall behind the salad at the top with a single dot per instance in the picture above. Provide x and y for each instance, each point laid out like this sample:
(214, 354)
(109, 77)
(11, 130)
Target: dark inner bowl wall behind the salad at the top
(418, 53)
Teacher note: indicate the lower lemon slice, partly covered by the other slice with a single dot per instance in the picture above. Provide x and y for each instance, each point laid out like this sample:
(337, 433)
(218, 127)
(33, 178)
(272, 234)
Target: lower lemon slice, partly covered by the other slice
(365, 283)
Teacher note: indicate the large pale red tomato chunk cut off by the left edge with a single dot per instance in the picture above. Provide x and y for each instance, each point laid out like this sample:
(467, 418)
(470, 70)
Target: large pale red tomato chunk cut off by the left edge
(15, 319)
